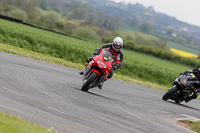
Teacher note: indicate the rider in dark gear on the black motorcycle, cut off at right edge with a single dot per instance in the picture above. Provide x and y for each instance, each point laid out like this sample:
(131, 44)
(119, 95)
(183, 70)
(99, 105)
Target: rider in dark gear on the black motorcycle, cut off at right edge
(194, 80)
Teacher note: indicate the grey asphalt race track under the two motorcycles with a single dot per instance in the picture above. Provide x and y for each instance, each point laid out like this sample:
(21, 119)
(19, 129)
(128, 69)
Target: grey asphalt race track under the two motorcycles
(49, 95)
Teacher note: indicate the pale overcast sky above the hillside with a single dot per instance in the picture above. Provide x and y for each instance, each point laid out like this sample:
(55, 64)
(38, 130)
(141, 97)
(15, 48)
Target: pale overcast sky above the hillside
(184, 10)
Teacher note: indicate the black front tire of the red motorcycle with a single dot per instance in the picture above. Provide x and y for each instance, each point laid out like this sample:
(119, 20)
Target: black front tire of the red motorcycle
(90, 80)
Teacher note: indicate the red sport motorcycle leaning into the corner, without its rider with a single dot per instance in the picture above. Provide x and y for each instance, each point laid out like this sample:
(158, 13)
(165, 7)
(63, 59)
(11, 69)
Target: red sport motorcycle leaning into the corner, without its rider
(97, 70)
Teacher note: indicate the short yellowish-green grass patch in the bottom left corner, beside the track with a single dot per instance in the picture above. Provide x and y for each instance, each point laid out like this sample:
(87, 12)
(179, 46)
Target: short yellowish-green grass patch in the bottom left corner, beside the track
(13, 124)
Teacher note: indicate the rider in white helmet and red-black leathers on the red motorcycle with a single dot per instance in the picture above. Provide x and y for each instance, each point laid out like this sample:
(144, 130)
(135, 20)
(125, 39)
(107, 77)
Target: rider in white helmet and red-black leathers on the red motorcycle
(114, 48)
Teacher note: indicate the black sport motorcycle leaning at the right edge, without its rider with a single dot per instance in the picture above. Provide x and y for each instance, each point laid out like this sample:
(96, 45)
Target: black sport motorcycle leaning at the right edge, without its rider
(181, 89)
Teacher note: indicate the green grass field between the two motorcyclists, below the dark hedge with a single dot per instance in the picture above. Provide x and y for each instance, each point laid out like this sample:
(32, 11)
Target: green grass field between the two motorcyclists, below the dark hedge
(152, 69)
